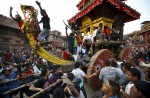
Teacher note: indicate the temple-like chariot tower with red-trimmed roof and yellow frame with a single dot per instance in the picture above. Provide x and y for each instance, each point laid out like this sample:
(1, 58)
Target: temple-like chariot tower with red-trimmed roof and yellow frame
(107, 12)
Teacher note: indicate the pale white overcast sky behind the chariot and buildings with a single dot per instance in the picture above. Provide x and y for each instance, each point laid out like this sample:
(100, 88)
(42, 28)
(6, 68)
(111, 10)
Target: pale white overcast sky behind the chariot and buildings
(59, 10)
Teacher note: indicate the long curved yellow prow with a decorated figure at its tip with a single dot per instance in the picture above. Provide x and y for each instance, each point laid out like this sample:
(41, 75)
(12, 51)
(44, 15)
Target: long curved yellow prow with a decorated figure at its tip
(29, 27)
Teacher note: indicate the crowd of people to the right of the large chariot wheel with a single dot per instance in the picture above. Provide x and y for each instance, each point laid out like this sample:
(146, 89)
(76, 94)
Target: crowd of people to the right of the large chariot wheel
(129, 78)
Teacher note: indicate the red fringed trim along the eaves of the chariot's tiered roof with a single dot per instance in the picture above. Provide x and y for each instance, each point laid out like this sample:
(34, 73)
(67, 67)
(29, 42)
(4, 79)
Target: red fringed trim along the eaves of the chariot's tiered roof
(91, 5)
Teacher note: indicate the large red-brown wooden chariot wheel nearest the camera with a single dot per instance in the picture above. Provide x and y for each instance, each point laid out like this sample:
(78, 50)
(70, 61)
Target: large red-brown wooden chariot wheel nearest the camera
(96, 64)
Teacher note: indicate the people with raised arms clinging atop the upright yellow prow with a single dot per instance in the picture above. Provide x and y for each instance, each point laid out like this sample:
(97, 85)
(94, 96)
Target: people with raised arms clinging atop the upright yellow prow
(39, 35)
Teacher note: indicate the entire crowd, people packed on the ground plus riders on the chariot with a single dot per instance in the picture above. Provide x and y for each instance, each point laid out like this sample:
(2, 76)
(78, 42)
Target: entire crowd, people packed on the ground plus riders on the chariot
(129, 78)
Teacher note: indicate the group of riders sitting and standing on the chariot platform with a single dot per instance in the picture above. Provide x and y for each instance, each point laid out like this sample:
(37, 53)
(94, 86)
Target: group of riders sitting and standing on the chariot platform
(79, 44)
